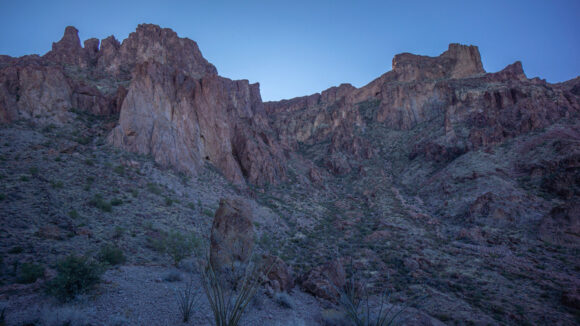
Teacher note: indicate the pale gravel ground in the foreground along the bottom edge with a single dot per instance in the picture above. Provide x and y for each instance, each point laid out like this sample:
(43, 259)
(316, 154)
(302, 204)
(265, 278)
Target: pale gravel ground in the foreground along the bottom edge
(139, 295)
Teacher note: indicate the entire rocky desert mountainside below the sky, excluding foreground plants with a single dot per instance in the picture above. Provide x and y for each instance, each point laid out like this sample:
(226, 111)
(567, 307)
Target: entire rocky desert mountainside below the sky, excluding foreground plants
(436, 180)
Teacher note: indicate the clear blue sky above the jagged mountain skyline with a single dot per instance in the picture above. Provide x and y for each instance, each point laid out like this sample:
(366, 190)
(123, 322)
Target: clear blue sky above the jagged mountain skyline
(296, 48)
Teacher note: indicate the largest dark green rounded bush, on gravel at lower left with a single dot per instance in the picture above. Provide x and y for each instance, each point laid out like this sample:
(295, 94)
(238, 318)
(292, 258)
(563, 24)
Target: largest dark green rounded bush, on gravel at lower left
(76, 275)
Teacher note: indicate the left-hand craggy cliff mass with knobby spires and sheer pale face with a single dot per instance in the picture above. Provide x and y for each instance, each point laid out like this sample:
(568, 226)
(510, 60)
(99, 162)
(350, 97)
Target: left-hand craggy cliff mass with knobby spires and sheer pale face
(172, 103)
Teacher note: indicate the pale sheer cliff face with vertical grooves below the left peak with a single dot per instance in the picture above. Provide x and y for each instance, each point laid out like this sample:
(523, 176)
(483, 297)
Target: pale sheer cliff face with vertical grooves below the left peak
(183, 122)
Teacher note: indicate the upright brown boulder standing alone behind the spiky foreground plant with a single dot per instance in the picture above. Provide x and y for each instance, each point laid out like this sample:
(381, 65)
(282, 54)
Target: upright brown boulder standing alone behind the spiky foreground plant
(232, 234)
